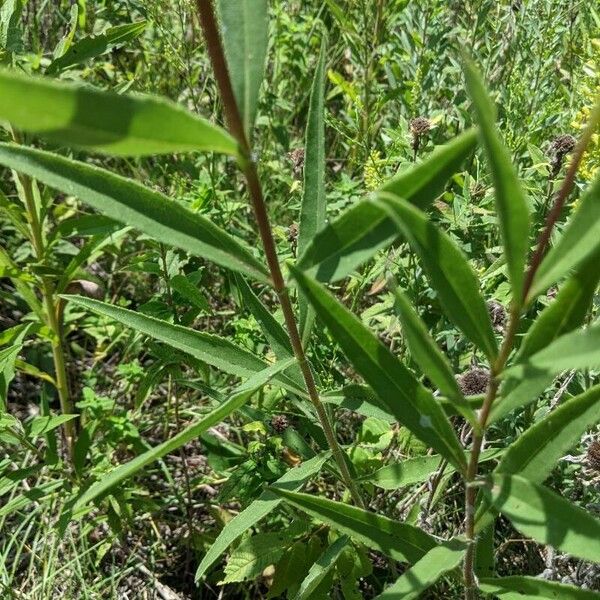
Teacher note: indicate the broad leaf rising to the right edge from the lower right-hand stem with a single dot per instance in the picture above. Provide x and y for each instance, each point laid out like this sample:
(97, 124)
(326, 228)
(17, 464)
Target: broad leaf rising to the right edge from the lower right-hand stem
(536, 451)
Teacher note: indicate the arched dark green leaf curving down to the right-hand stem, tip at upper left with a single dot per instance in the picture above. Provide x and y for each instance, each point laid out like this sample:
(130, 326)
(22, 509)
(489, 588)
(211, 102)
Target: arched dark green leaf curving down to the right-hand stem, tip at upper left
(448, 269)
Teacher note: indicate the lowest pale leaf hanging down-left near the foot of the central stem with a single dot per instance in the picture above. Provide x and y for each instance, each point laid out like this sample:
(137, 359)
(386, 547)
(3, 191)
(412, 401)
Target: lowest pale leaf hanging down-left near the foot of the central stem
(258, 509)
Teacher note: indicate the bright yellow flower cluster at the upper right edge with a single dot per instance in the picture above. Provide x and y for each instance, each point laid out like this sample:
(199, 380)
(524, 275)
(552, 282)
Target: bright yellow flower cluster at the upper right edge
(590, 163)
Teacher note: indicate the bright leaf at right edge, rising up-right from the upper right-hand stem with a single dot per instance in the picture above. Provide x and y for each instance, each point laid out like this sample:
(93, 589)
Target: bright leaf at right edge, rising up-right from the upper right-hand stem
(579, 240)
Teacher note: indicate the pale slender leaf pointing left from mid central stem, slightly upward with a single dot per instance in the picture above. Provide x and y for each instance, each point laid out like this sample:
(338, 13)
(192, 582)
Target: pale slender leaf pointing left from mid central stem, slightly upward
(209, 348)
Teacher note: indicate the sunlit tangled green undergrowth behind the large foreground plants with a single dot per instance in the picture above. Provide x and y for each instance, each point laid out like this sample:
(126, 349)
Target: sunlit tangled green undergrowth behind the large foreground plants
(394, 89)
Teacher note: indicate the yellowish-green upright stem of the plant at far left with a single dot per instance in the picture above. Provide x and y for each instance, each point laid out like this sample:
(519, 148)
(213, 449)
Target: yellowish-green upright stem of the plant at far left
(50, 306)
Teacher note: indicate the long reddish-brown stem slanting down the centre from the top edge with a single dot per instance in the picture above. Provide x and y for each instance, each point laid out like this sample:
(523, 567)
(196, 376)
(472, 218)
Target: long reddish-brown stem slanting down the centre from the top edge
(248, 165)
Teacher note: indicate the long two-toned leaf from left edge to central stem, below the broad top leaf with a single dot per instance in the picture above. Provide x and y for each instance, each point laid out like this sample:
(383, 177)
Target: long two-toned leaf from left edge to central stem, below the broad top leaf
(133, 204)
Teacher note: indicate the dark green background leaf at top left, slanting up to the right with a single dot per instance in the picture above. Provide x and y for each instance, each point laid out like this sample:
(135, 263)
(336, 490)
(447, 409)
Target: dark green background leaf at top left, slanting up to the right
(92, 46)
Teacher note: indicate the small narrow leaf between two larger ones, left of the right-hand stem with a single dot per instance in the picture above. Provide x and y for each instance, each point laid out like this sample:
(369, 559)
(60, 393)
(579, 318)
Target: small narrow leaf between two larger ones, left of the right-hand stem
(428, 356)
